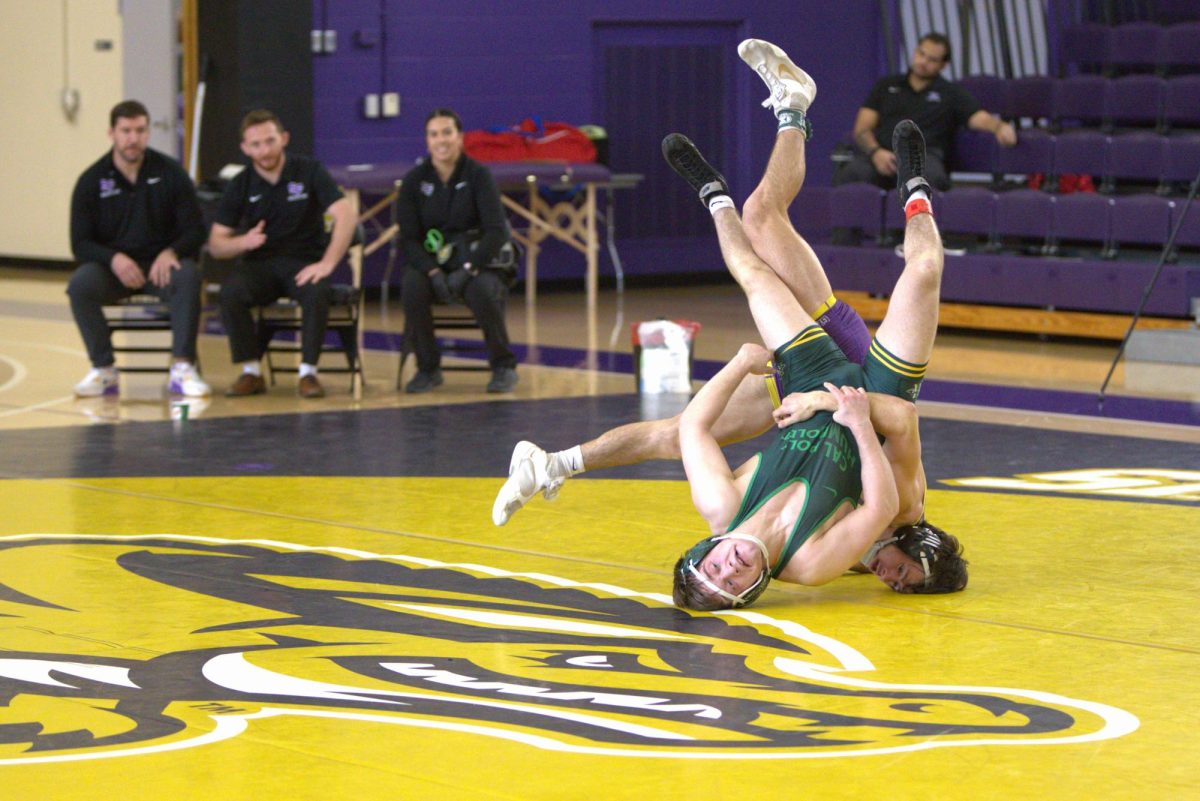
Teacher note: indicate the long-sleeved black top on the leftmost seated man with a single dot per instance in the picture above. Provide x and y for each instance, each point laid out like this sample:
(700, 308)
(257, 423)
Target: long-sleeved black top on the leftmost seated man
(111, 216)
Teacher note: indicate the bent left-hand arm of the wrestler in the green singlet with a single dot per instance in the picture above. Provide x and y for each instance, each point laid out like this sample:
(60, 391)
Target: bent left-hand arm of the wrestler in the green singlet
(713, 491)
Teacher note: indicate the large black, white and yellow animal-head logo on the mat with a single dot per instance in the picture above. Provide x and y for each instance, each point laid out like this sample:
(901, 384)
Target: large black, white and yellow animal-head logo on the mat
(261, 630)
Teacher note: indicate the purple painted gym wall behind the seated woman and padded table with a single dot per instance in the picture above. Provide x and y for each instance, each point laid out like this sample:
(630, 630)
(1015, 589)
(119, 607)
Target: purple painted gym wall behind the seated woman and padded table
(583, 63)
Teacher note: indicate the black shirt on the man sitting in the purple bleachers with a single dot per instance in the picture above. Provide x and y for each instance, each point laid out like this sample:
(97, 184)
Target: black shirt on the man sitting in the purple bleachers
(940, 110)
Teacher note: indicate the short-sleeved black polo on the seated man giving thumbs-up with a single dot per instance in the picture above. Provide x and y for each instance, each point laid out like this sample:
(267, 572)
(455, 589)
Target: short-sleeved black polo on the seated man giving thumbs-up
(295, 209)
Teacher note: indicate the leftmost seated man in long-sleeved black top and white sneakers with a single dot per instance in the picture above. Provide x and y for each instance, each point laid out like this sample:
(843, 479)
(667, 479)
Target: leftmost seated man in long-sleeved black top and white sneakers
(136, 228)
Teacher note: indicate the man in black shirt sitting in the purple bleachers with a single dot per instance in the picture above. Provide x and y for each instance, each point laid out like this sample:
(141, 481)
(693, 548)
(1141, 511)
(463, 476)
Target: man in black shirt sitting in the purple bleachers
(939, 109)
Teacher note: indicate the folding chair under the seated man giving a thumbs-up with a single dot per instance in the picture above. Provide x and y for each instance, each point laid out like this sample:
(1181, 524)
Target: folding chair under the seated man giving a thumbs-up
(345, 321)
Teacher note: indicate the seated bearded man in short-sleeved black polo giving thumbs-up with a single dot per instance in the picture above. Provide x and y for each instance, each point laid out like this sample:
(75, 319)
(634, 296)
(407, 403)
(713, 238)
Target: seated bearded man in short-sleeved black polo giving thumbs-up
(283, 202)
